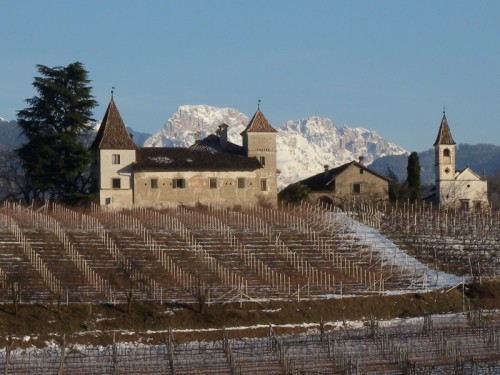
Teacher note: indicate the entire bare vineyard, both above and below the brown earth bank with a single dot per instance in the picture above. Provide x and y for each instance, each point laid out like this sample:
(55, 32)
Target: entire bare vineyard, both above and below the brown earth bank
(210, 255)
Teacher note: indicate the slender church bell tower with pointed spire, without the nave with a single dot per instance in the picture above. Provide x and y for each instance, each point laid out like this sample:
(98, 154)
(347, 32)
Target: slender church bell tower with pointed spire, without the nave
(445, 163)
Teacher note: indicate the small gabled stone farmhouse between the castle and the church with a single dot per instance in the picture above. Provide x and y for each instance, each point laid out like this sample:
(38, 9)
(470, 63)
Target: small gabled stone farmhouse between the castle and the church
(351, 181)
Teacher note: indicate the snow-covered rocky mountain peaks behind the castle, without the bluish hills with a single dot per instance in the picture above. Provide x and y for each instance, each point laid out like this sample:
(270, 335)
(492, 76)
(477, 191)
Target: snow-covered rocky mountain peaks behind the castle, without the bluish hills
(304, 146)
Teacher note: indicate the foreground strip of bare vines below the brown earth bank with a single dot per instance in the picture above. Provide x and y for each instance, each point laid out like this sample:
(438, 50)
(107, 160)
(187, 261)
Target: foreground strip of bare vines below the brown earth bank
(443, 344)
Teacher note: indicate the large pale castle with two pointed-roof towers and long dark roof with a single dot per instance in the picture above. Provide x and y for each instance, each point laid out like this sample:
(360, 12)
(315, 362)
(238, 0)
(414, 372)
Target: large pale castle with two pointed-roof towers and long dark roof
(212, 171)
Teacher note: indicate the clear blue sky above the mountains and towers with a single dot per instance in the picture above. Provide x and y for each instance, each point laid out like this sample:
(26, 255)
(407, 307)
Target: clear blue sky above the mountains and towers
(389, 66)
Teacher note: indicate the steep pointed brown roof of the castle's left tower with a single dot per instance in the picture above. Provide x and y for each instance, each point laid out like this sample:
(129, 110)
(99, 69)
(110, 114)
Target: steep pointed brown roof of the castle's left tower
(113, 134)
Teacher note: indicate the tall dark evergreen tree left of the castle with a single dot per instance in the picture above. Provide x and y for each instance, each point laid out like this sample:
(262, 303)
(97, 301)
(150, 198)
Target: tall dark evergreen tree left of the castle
(55, 157)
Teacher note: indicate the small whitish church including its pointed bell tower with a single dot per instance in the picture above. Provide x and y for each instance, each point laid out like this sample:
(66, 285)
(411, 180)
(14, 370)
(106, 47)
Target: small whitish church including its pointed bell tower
(456, 189)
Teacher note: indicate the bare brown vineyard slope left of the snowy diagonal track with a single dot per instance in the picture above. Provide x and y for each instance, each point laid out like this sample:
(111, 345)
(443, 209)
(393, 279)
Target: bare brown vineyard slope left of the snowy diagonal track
(210, 254)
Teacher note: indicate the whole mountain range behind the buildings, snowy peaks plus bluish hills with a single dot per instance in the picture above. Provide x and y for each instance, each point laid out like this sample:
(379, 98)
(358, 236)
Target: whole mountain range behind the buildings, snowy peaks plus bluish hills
(304, 146)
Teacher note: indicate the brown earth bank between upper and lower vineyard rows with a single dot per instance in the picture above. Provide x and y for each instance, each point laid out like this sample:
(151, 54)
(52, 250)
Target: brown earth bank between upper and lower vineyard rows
(96, 323)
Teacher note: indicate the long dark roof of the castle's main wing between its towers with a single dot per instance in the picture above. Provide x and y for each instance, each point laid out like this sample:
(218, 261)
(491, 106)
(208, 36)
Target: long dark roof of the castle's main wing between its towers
(184, 159)
